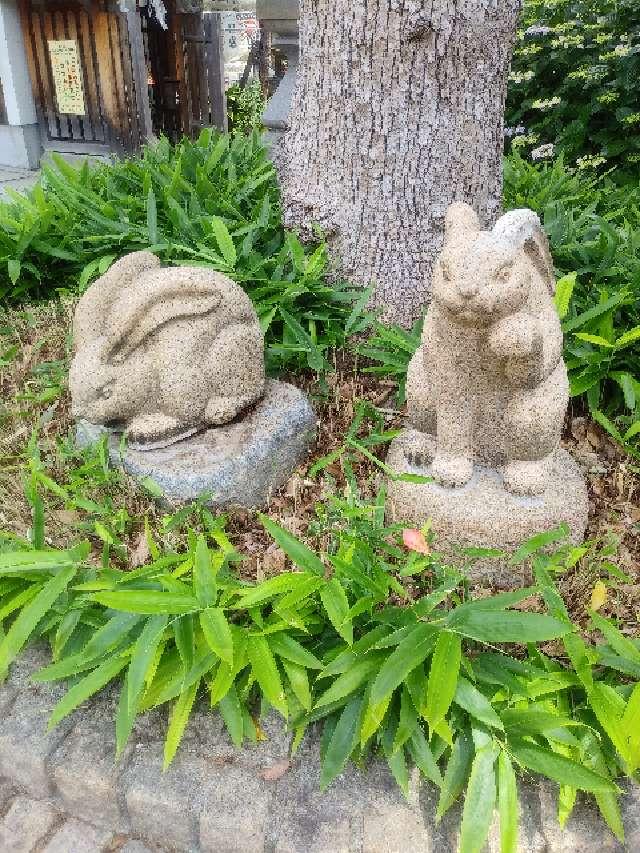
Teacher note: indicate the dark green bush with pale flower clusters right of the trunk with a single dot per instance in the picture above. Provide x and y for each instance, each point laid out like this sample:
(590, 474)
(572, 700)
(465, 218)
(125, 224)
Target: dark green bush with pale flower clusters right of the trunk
(574, 82)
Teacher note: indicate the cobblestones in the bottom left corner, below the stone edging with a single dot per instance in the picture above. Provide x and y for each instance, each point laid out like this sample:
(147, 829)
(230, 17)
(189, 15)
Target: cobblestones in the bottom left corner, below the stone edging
(28, 825)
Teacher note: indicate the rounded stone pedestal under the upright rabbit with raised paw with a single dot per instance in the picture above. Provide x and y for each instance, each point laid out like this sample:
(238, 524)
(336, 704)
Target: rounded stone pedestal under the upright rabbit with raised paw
(483, 514)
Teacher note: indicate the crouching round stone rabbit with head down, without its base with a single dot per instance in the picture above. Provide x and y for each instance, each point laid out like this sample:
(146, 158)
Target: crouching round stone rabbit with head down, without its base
(164, 352)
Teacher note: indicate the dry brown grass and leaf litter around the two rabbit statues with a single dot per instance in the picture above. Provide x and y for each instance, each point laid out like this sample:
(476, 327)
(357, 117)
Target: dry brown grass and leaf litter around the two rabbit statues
(34, 348)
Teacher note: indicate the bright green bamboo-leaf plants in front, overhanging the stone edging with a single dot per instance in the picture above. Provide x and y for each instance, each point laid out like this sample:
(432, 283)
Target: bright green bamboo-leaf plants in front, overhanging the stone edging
(376, 639)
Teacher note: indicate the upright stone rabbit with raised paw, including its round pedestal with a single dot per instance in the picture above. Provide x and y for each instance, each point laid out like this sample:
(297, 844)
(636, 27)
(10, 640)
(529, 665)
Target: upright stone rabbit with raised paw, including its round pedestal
(487, 393)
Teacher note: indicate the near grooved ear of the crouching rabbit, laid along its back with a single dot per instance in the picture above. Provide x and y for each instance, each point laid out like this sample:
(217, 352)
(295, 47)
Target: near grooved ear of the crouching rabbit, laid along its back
(157, 298)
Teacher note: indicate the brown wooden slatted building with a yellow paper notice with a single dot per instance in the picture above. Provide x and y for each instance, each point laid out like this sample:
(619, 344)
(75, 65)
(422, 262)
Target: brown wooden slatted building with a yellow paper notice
(107, 75)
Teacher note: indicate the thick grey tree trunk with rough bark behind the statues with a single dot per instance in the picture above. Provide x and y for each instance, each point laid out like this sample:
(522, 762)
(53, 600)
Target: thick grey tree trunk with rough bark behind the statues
(398, 112)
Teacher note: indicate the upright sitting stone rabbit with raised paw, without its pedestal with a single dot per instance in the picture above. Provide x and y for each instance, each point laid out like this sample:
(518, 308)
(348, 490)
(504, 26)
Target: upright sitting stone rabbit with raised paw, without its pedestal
(488, 384)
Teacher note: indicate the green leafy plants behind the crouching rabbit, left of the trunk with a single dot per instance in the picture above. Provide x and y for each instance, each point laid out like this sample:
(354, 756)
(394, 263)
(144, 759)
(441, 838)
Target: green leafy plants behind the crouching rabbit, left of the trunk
(212, 202)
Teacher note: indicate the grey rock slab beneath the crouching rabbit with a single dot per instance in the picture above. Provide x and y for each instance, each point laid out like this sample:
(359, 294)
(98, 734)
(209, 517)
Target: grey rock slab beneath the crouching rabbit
(240, 464)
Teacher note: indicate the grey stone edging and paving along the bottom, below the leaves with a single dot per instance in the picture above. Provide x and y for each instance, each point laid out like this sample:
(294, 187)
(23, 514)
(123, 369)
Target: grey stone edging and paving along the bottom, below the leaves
(62, 792)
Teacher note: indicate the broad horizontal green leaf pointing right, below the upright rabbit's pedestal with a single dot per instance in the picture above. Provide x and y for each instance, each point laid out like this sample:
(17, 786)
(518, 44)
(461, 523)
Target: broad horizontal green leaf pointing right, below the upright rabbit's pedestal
(508, 626)
